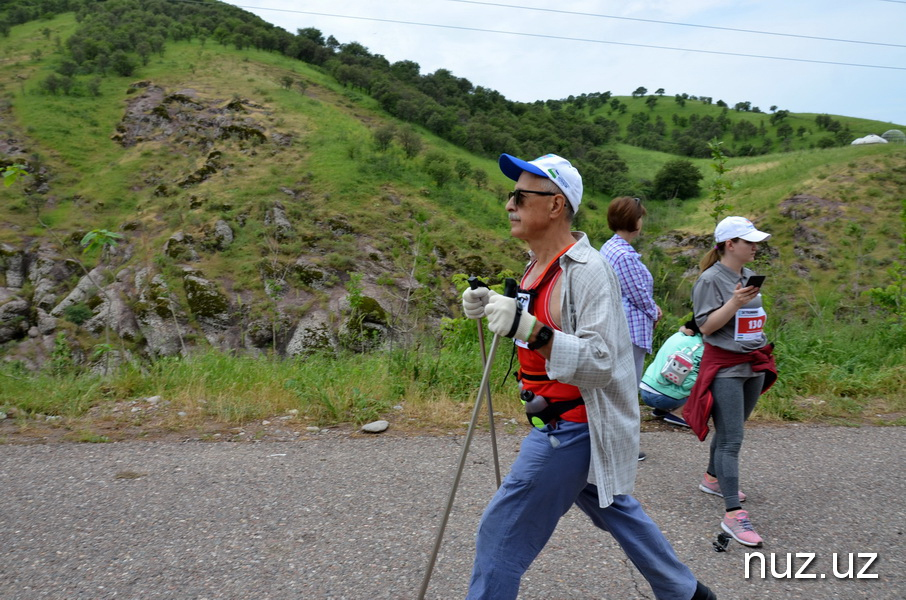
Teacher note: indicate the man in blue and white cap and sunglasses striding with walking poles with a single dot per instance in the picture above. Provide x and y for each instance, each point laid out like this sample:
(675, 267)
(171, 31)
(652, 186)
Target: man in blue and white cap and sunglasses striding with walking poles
(577, 376)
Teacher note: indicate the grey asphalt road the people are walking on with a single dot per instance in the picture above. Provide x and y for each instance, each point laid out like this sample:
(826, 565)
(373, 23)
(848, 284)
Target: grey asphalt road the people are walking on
(331, 515)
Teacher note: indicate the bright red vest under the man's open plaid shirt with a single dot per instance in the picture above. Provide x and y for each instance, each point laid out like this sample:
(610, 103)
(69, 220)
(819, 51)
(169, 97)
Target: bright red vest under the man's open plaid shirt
(532, 369)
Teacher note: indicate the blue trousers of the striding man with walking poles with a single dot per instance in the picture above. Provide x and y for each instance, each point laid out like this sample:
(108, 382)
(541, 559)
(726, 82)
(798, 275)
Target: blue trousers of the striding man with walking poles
(548, 477)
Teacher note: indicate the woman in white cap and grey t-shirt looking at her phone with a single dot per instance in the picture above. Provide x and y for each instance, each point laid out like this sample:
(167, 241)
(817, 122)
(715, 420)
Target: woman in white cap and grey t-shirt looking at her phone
(737, 365)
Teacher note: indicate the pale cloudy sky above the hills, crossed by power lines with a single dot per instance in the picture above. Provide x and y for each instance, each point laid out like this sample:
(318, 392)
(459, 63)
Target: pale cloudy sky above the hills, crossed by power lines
(534, 50)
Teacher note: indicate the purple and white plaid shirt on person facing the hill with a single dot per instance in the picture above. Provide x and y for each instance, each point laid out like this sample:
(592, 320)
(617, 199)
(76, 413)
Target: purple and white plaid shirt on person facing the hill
(637, 287)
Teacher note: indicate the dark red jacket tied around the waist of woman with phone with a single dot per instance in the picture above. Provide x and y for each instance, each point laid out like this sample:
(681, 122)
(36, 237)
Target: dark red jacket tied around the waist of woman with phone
(697, 409)
